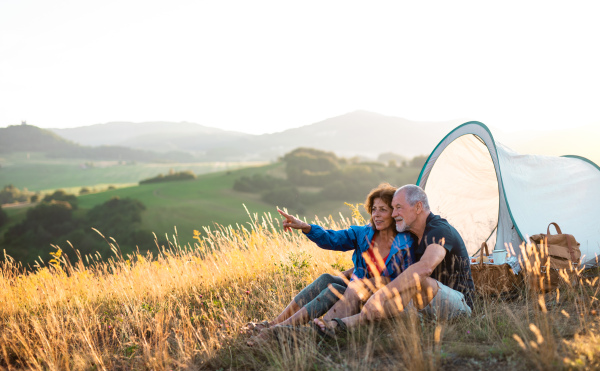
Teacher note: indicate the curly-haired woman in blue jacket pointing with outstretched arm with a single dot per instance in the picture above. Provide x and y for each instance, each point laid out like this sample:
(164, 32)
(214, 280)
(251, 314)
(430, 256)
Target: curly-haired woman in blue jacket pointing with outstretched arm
(380, 255)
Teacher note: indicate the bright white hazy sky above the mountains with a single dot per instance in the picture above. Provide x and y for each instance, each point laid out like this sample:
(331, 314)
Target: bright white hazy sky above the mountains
(257, 66)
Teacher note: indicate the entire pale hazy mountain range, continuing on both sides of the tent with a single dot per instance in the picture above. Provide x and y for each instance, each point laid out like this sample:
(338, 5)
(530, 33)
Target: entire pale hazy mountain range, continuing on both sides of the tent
(358, 133)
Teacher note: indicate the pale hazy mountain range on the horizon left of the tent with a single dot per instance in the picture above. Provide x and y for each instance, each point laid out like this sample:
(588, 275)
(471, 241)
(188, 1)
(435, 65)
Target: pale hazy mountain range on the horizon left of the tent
(357, 133)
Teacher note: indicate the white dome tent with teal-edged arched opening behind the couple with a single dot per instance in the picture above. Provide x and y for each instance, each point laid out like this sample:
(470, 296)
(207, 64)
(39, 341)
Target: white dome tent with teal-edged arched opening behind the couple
(490, 193)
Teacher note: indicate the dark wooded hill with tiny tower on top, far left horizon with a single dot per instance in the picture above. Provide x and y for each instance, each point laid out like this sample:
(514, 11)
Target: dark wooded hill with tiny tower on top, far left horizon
(28, 138)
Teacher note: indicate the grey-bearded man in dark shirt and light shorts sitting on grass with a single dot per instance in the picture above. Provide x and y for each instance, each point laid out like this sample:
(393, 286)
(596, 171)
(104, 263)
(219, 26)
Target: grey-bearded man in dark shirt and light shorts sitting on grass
(439, 283)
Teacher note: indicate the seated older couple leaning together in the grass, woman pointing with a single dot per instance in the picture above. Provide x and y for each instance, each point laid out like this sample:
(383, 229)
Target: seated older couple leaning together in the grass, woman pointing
(406, 257)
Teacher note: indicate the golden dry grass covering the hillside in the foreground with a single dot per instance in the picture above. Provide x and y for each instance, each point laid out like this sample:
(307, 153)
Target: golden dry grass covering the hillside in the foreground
(185, 308)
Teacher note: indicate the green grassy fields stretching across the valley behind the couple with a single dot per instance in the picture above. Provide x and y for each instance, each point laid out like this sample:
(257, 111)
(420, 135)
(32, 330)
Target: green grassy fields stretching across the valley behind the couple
(182, 205)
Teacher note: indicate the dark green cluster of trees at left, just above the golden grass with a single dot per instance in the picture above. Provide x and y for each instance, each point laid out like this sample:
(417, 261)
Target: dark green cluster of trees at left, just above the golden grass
(56, 220)
